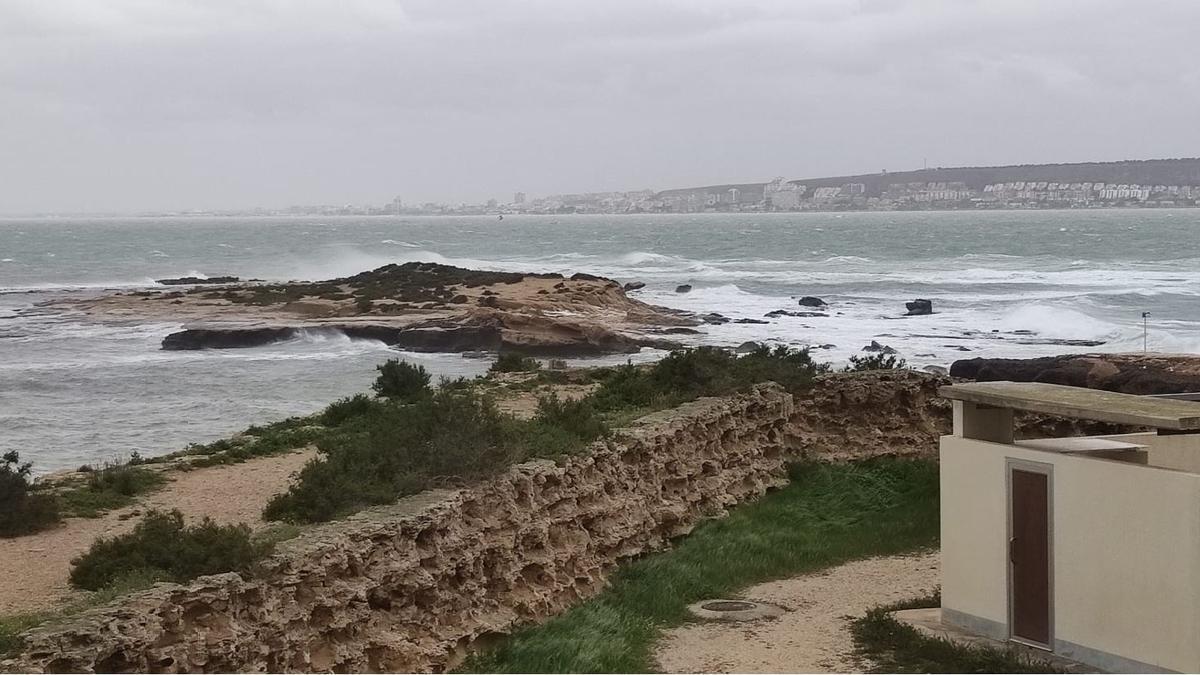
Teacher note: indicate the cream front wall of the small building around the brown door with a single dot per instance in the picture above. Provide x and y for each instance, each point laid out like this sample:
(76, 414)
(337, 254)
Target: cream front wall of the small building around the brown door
(1126, 551)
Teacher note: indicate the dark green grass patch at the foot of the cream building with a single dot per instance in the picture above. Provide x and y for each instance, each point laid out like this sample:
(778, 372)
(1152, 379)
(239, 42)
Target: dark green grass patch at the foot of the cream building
(897, 648)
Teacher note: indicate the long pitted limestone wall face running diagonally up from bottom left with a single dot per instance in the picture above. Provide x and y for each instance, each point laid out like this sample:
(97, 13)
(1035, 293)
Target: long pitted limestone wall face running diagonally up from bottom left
(407, 588)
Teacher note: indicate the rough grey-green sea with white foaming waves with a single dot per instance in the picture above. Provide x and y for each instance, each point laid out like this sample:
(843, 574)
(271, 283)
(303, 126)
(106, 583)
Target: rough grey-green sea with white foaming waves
(1004, 284)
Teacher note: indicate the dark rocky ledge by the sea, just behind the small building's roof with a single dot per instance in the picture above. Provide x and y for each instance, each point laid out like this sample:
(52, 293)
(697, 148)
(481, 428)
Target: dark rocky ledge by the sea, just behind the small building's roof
(1131, 374)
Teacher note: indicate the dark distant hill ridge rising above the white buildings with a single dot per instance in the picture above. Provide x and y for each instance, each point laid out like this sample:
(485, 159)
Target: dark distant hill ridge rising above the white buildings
(1145, 172)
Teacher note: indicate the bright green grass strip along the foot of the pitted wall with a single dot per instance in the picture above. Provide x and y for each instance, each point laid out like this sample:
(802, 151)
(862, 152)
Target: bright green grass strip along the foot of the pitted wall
(827, 516)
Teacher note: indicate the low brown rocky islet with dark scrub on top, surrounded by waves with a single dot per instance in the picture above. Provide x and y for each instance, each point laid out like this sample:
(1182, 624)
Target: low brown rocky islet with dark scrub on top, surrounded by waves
(417, 307)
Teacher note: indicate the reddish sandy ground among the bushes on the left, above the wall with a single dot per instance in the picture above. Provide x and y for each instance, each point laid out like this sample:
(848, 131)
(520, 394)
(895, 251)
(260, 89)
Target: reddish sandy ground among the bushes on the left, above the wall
(34, 569)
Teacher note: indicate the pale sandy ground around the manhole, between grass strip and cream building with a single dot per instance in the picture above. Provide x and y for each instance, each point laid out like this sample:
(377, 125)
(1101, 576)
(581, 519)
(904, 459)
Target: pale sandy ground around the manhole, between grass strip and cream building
(813, 636)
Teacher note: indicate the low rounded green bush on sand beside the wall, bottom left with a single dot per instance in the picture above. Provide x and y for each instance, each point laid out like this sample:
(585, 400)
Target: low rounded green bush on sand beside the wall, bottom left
(163, 545)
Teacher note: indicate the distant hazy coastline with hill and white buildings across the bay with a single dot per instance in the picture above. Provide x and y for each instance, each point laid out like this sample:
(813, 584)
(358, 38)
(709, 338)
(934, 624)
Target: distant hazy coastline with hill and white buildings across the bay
(1173, 183)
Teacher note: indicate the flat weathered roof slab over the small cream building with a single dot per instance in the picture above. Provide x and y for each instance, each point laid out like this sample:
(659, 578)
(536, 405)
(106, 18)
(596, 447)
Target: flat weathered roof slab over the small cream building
(1084, 404)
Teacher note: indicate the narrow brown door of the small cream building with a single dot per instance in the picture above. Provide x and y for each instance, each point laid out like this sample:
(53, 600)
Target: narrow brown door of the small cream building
(1030, 555)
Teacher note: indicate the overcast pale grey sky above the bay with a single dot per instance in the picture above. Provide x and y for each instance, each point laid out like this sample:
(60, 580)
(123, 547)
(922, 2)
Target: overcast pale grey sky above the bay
(127, 105)
